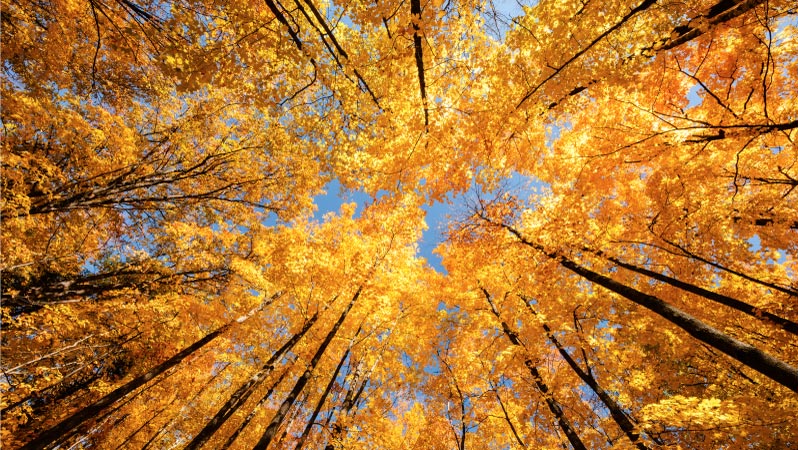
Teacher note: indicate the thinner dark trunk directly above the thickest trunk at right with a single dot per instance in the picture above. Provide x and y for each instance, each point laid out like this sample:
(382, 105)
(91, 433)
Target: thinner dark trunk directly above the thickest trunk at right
(785, 324)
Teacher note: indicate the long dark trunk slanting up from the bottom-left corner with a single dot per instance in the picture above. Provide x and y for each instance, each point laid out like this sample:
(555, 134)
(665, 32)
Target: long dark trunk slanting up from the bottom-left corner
(68, 426)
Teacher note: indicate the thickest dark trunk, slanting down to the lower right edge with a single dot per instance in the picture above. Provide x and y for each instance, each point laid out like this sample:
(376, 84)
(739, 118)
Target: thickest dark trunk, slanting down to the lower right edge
(767, 365)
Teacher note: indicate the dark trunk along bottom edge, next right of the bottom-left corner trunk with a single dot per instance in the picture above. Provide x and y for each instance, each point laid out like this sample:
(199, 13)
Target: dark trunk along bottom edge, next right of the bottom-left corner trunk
(242, 394)
